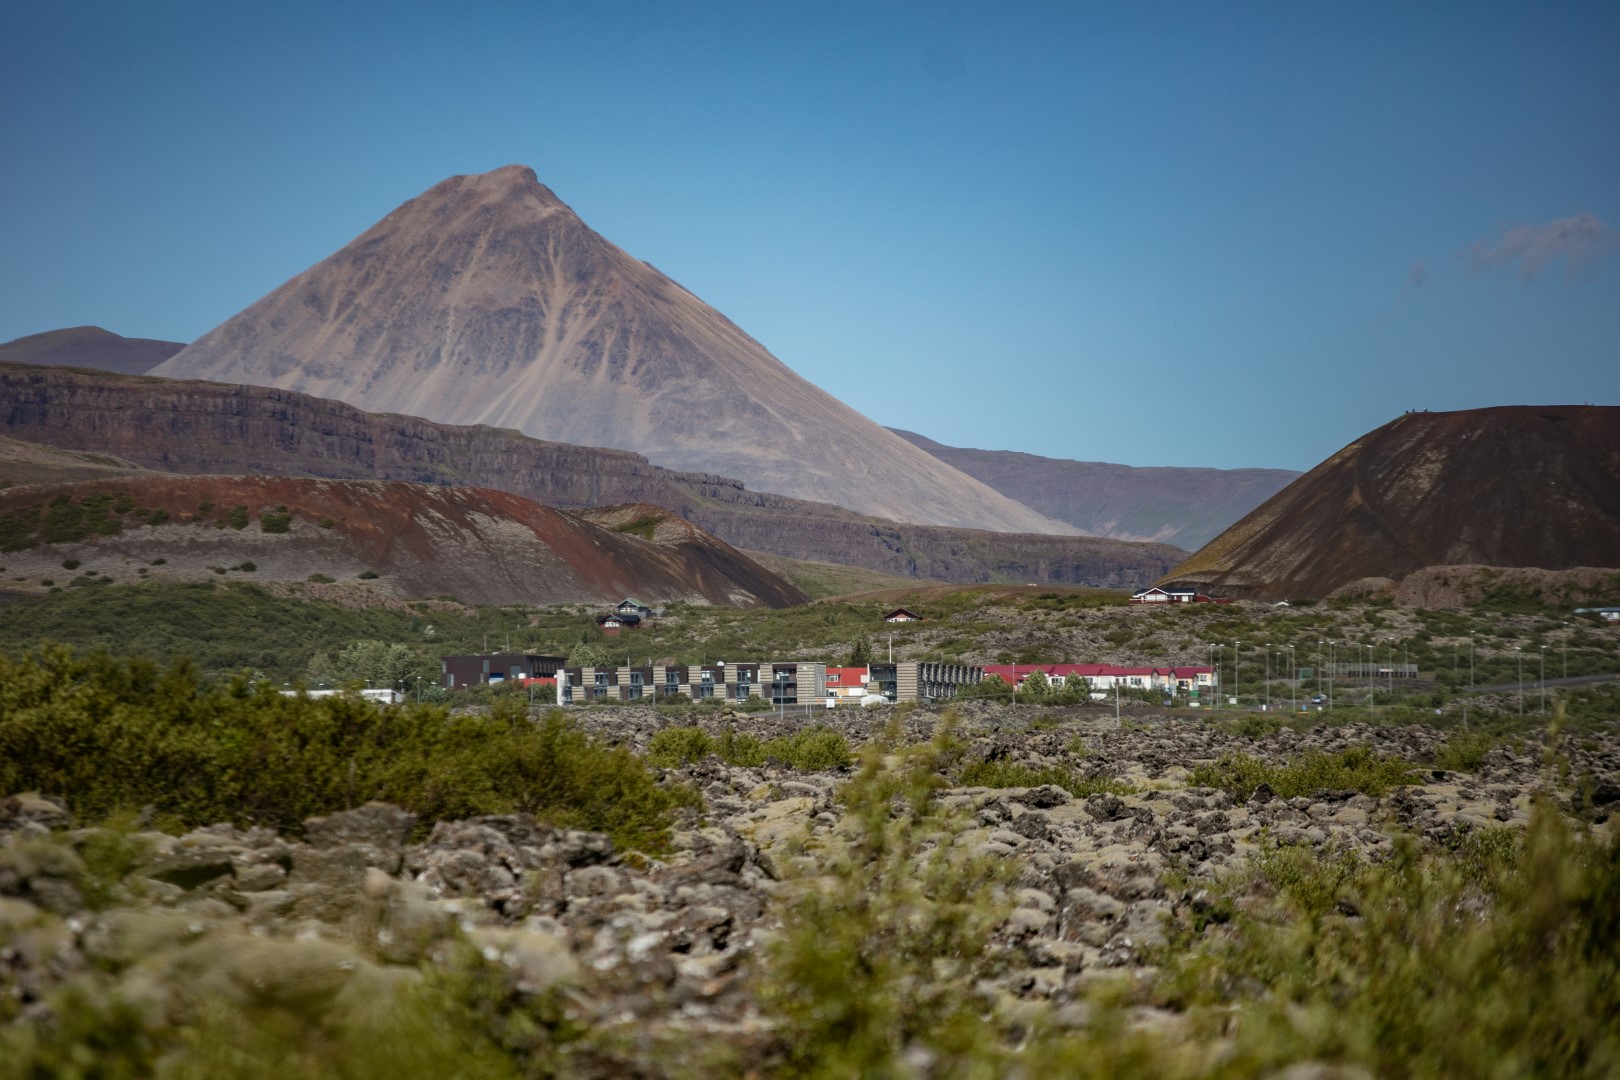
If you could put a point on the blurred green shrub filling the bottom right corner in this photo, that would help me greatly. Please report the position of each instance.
(1496, 958)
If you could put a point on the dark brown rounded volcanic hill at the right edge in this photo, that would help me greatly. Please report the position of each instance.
(1517, 487)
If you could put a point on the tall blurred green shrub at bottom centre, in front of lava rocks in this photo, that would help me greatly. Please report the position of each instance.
(885, 938)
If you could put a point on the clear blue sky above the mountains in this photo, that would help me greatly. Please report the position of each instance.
(1203, 234)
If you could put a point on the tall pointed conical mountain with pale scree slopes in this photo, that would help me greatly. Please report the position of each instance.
(488, 302)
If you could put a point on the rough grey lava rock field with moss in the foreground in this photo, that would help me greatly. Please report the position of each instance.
(370, 899)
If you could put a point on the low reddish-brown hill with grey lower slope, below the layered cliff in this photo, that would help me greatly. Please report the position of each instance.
(414, 540)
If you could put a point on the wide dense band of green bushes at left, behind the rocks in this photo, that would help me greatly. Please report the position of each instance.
(117, 736)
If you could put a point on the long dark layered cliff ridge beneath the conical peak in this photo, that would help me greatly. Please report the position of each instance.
(215, 428)
